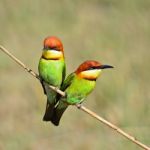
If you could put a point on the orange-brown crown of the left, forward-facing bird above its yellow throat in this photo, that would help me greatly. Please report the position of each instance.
(54, 43)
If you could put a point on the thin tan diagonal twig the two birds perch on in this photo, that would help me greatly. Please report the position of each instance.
(79, 106)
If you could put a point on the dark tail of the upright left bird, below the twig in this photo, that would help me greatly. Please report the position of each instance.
(48, 112)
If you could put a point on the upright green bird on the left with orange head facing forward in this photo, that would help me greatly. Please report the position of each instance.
(52, 71)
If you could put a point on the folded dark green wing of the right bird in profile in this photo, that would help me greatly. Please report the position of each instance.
(68, 81)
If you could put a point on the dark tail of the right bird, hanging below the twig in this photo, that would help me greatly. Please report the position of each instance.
(58, 112)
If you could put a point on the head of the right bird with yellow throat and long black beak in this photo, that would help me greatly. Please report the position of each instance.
(90, 69)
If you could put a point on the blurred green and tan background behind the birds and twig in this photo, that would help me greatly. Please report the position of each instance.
(111, 31)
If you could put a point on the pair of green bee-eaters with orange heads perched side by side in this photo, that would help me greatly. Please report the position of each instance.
(77, 85)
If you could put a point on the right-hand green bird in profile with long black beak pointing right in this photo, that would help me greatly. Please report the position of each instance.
(77, 86)
